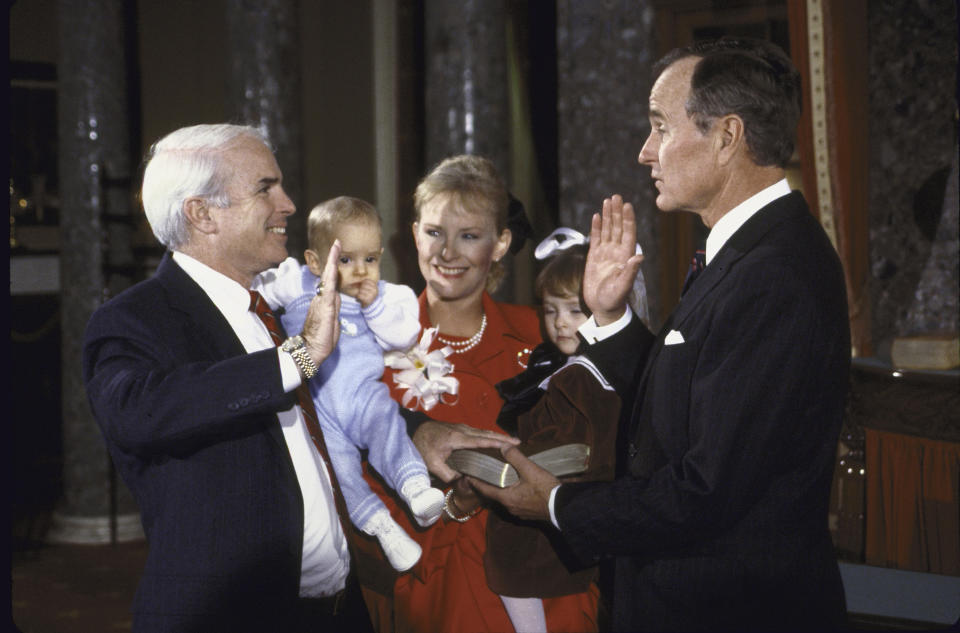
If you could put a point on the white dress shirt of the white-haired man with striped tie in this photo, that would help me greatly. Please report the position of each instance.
(326, 559)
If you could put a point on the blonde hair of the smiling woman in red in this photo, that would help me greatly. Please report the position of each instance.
(473, 184)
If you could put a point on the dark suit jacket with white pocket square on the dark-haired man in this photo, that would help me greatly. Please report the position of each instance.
(721, 519)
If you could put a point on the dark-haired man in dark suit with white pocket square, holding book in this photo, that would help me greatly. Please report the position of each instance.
(719, 520)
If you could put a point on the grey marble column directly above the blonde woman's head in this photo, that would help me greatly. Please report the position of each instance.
(467, 104)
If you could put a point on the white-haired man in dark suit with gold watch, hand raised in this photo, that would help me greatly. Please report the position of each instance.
(198, 405)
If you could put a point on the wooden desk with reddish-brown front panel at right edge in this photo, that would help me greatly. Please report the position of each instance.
(895, 499)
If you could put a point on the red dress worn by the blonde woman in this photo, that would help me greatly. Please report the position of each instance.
(447, 590)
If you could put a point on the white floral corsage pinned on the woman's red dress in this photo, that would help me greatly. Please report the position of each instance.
(424, 374)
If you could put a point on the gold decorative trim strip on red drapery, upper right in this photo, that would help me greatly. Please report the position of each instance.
(818, 116)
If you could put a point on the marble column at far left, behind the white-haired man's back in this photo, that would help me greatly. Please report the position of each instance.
(96, 260)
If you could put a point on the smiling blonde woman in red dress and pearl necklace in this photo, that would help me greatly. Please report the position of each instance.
(461, 233)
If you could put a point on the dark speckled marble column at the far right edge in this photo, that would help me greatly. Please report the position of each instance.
(913, 169)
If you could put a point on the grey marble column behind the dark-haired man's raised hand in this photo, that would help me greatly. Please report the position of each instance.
(604, 54)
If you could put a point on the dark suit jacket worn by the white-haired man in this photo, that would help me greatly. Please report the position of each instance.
(190, 421)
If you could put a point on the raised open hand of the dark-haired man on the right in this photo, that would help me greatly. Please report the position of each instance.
(612, 262)
